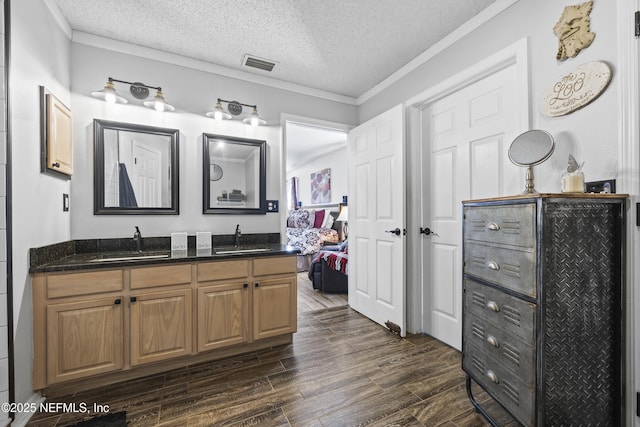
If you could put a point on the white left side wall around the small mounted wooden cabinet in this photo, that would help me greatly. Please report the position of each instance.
(40, 56)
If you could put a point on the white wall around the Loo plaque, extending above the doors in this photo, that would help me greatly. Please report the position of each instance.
(591, 134)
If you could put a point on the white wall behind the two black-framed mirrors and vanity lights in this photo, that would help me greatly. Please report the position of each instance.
(193, 93)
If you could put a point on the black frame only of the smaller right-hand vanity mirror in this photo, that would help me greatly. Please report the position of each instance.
(206, 183)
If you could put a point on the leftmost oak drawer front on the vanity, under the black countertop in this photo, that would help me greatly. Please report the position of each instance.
(76, 284)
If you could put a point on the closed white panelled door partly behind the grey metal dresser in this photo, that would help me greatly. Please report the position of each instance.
(466, 136)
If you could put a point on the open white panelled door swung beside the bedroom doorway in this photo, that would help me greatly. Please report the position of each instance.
(376, 211)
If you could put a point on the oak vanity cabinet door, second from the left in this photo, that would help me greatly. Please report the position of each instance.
(161, 325)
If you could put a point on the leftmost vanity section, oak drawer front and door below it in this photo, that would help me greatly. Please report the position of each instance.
(78, 325)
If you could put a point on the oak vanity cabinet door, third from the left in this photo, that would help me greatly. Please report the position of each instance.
(223, 315)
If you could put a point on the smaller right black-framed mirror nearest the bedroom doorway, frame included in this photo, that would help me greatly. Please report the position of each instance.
(234, 175)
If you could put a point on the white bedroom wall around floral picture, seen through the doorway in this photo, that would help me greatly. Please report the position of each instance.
(336, 161)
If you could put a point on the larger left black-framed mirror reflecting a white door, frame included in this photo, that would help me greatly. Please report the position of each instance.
(135, 169)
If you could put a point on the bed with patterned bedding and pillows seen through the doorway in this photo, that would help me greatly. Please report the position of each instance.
(308, 230)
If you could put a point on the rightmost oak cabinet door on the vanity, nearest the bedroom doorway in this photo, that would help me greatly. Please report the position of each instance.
(274, 307)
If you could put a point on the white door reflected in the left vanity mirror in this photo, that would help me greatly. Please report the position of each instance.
(146, 175)
